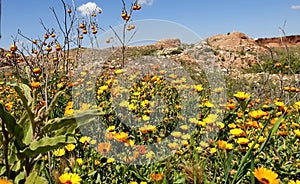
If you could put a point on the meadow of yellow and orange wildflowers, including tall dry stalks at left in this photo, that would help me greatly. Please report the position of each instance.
(66, 120)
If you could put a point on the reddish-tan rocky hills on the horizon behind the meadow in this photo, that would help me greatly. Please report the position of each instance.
(234, 50)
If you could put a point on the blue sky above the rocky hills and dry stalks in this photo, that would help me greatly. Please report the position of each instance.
(256, 18)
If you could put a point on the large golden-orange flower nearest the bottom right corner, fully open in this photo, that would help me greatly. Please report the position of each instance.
(266, 176)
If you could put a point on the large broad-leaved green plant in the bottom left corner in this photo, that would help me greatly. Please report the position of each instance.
(28, 143)
